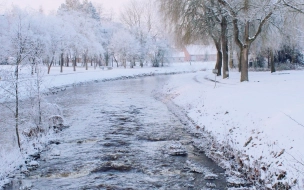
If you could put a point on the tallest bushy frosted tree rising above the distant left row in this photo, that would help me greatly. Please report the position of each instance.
(86, 40)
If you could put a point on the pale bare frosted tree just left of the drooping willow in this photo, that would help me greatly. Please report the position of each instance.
(142, 20)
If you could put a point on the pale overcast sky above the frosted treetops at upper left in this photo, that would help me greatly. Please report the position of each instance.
(49, 5)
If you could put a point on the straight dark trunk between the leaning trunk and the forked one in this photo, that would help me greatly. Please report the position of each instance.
(224, 41)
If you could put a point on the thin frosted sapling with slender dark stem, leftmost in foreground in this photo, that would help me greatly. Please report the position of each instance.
(18, 48)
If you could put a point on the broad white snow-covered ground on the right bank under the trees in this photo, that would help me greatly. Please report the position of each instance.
(262, 120)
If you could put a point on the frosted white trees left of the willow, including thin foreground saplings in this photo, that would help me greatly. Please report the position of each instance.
(77, 33)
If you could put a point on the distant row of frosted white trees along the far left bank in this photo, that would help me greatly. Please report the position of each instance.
(77, 32)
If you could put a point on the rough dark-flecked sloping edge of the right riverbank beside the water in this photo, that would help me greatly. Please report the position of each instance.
(240, 174)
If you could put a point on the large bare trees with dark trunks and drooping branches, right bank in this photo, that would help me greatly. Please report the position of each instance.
(245, 26)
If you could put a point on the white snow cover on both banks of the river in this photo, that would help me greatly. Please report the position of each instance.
(261, 120)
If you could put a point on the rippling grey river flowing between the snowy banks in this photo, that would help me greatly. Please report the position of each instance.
(120, 137)
